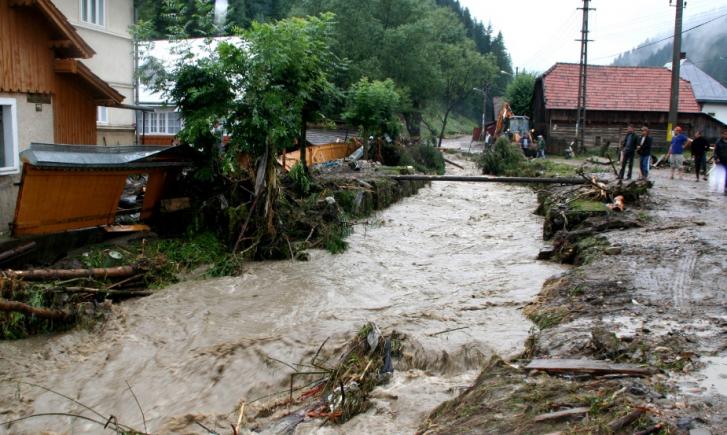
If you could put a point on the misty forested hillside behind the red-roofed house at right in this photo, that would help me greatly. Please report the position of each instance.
(705, 47)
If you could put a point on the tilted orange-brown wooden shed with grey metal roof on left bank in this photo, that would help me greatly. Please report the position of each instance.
(72, 187)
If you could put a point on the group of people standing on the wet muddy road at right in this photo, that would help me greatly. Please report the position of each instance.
(634, 144)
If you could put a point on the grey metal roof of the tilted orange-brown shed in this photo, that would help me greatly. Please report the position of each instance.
(87, 156)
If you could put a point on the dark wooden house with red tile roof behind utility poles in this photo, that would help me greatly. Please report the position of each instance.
(616, 96)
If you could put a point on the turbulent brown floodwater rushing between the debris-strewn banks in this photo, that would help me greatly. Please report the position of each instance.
(454, 256)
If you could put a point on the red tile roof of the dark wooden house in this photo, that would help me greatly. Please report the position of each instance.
(619, 88)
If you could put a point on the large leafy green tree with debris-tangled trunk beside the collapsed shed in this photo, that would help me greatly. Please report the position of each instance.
(252, 96)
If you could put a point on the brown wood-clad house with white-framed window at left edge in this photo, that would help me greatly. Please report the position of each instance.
(46, 94)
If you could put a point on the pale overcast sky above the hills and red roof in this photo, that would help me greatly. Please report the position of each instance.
(540, 33)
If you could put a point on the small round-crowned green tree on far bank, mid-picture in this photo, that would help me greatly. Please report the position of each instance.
(372, 107)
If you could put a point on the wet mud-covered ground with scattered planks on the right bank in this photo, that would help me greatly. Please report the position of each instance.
(654, 295)
